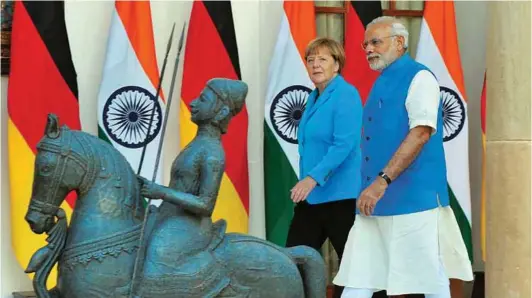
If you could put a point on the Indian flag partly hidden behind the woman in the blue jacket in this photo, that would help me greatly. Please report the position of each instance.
(288, 88)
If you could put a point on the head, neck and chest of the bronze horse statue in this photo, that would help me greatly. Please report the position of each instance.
(106, 221)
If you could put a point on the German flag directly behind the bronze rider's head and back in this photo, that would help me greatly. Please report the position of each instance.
(211, 51)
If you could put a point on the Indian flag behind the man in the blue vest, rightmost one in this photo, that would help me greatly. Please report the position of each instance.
(438, 50)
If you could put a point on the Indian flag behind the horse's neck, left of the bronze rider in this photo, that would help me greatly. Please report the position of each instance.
(126, 99)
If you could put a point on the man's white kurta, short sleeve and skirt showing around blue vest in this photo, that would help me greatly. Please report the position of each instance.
(410, 253)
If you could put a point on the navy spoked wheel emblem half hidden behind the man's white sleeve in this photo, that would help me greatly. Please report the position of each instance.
(454, 114)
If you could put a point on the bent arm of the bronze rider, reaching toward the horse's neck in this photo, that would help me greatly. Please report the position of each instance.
(203, 205)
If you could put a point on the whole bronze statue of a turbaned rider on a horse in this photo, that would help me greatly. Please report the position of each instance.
(186, 254)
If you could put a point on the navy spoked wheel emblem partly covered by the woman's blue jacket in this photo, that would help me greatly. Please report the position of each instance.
(286, 111)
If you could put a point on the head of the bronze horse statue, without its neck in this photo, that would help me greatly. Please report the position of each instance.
(59, 169)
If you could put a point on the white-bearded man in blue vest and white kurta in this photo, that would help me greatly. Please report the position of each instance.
(406, 239)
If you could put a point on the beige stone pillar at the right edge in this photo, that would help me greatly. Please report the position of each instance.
(508, 160)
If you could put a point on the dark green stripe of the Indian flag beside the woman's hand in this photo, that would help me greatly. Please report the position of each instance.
(279, 178)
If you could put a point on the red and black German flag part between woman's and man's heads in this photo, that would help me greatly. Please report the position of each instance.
(356, 70)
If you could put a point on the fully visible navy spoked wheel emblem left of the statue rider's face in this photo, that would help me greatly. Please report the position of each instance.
(126, 116)
